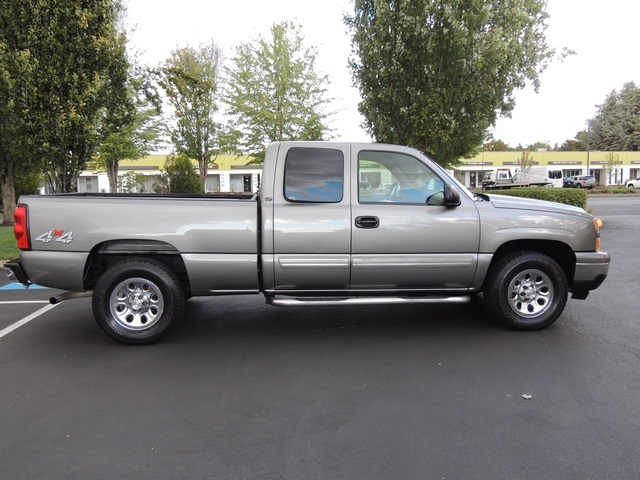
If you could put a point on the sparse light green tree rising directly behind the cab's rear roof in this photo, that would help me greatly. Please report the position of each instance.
(274, 92)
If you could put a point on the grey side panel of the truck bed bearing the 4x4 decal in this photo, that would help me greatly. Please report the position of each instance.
(222, 233)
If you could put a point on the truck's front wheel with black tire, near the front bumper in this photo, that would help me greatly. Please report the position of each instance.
(525, 290)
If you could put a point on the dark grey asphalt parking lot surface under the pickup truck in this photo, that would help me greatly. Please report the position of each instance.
(242, 390)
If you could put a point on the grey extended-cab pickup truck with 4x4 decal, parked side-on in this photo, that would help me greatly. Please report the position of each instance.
(319, 232)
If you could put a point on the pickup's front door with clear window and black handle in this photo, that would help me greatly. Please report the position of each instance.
(403, 237)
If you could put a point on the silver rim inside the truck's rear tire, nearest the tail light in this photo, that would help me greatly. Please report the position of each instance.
(136, 303)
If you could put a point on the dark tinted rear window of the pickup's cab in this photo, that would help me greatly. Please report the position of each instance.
(314, 175)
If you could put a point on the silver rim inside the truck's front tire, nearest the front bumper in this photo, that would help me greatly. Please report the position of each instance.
(531, 293)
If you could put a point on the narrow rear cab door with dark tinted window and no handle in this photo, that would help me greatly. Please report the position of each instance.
(312, 219)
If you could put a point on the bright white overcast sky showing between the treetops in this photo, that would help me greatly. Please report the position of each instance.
(602, 33)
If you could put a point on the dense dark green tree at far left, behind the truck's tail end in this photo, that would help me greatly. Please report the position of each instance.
(71, 51)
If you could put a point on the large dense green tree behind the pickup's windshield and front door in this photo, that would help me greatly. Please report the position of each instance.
(435, 74)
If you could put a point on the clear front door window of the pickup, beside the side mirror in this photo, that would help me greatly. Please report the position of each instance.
(397, 178)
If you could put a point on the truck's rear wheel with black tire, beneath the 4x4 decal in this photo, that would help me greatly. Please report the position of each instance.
(138, 300)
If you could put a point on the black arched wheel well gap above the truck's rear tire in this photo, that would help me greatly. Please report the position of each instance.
(107, 254)
